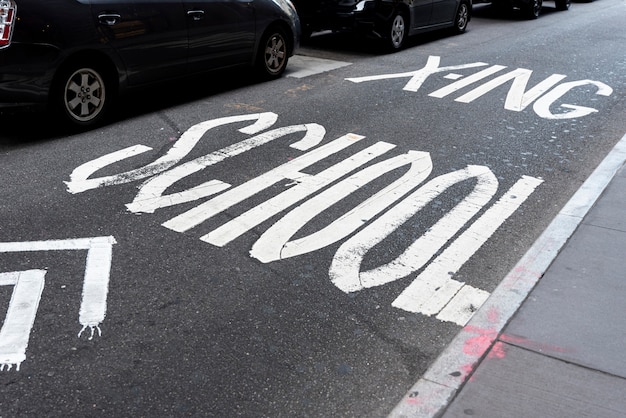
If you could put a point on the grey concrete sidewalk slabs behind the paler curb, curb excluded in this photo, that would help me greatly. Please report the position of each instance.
(564, 352)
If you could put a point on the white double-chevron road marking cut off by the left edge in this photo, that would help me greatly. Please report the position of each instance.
(29, 284)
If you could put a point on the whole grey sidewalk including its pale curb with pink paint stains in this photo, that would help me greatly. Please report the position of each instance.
(551, 340)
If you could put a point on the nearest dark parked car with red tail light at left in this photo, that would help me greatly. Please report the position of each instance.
(77, 55)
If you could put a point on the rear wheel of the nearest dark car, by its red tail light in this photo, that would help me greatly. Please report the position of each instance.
(82, 95)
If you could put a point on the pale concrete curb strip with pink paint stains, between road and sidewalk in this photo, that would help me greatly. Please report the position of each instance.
(438, 386)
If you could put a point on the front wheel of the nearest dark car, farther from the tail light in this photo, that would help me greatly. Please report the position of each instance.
(273, 54)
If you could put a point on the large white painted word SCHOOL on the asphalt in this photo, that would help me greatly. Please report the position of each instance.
(308, 195)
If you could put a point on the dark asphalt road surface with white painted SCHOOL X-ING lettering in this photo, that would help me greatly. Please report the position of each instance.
(301, 247)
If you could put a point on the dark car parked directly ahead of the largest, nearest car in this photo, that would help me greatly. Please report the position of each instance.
(390, 20)
